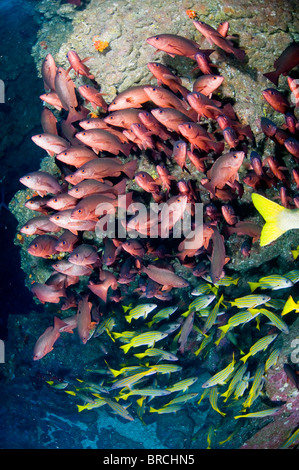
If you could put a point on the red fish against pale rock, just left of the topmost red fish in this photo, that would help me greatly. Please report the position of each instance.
(174, 45)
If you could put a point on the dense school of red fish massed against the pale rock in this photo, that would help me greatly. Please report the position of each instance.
(97, 156)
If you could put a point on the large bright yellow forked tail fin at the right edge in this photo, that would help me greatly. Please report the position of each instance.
(270, 211)
